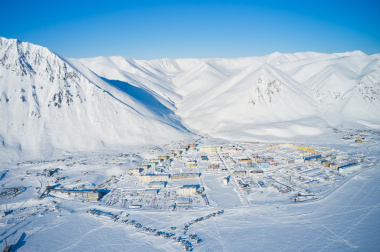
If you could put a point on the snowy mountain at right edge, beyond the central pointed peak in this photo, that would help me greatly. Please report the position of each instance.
(345, 86)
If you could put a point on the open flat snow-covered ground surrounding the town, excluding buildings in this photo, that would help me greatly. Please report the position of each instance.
(345, 217)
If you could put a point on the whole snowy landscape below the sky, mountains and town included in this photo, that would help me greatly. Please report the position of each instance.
(272, 153)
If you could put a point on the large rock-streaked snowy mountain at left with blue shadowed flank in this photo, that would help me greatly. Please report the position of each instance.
(48, 103)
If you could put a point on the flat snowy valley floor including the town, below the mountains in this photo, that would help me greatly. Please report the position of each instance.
(48, 205)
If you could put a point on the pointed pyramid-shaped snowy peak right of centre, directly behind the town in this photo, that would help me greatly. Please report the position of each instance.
(251, 103)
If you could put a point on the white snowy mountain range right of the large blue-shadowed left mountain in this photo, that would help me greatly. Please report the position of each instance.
(278, 94)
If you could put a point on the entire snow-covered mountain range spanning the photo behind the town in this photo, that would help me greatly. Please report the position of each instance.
(49, 102)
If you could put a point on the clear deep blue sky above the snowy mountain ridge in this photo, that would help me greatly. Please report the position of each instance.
(193, 29)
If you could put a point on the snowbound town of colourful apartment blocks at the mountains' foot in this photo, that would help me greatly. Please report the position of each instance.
(183, 177)
